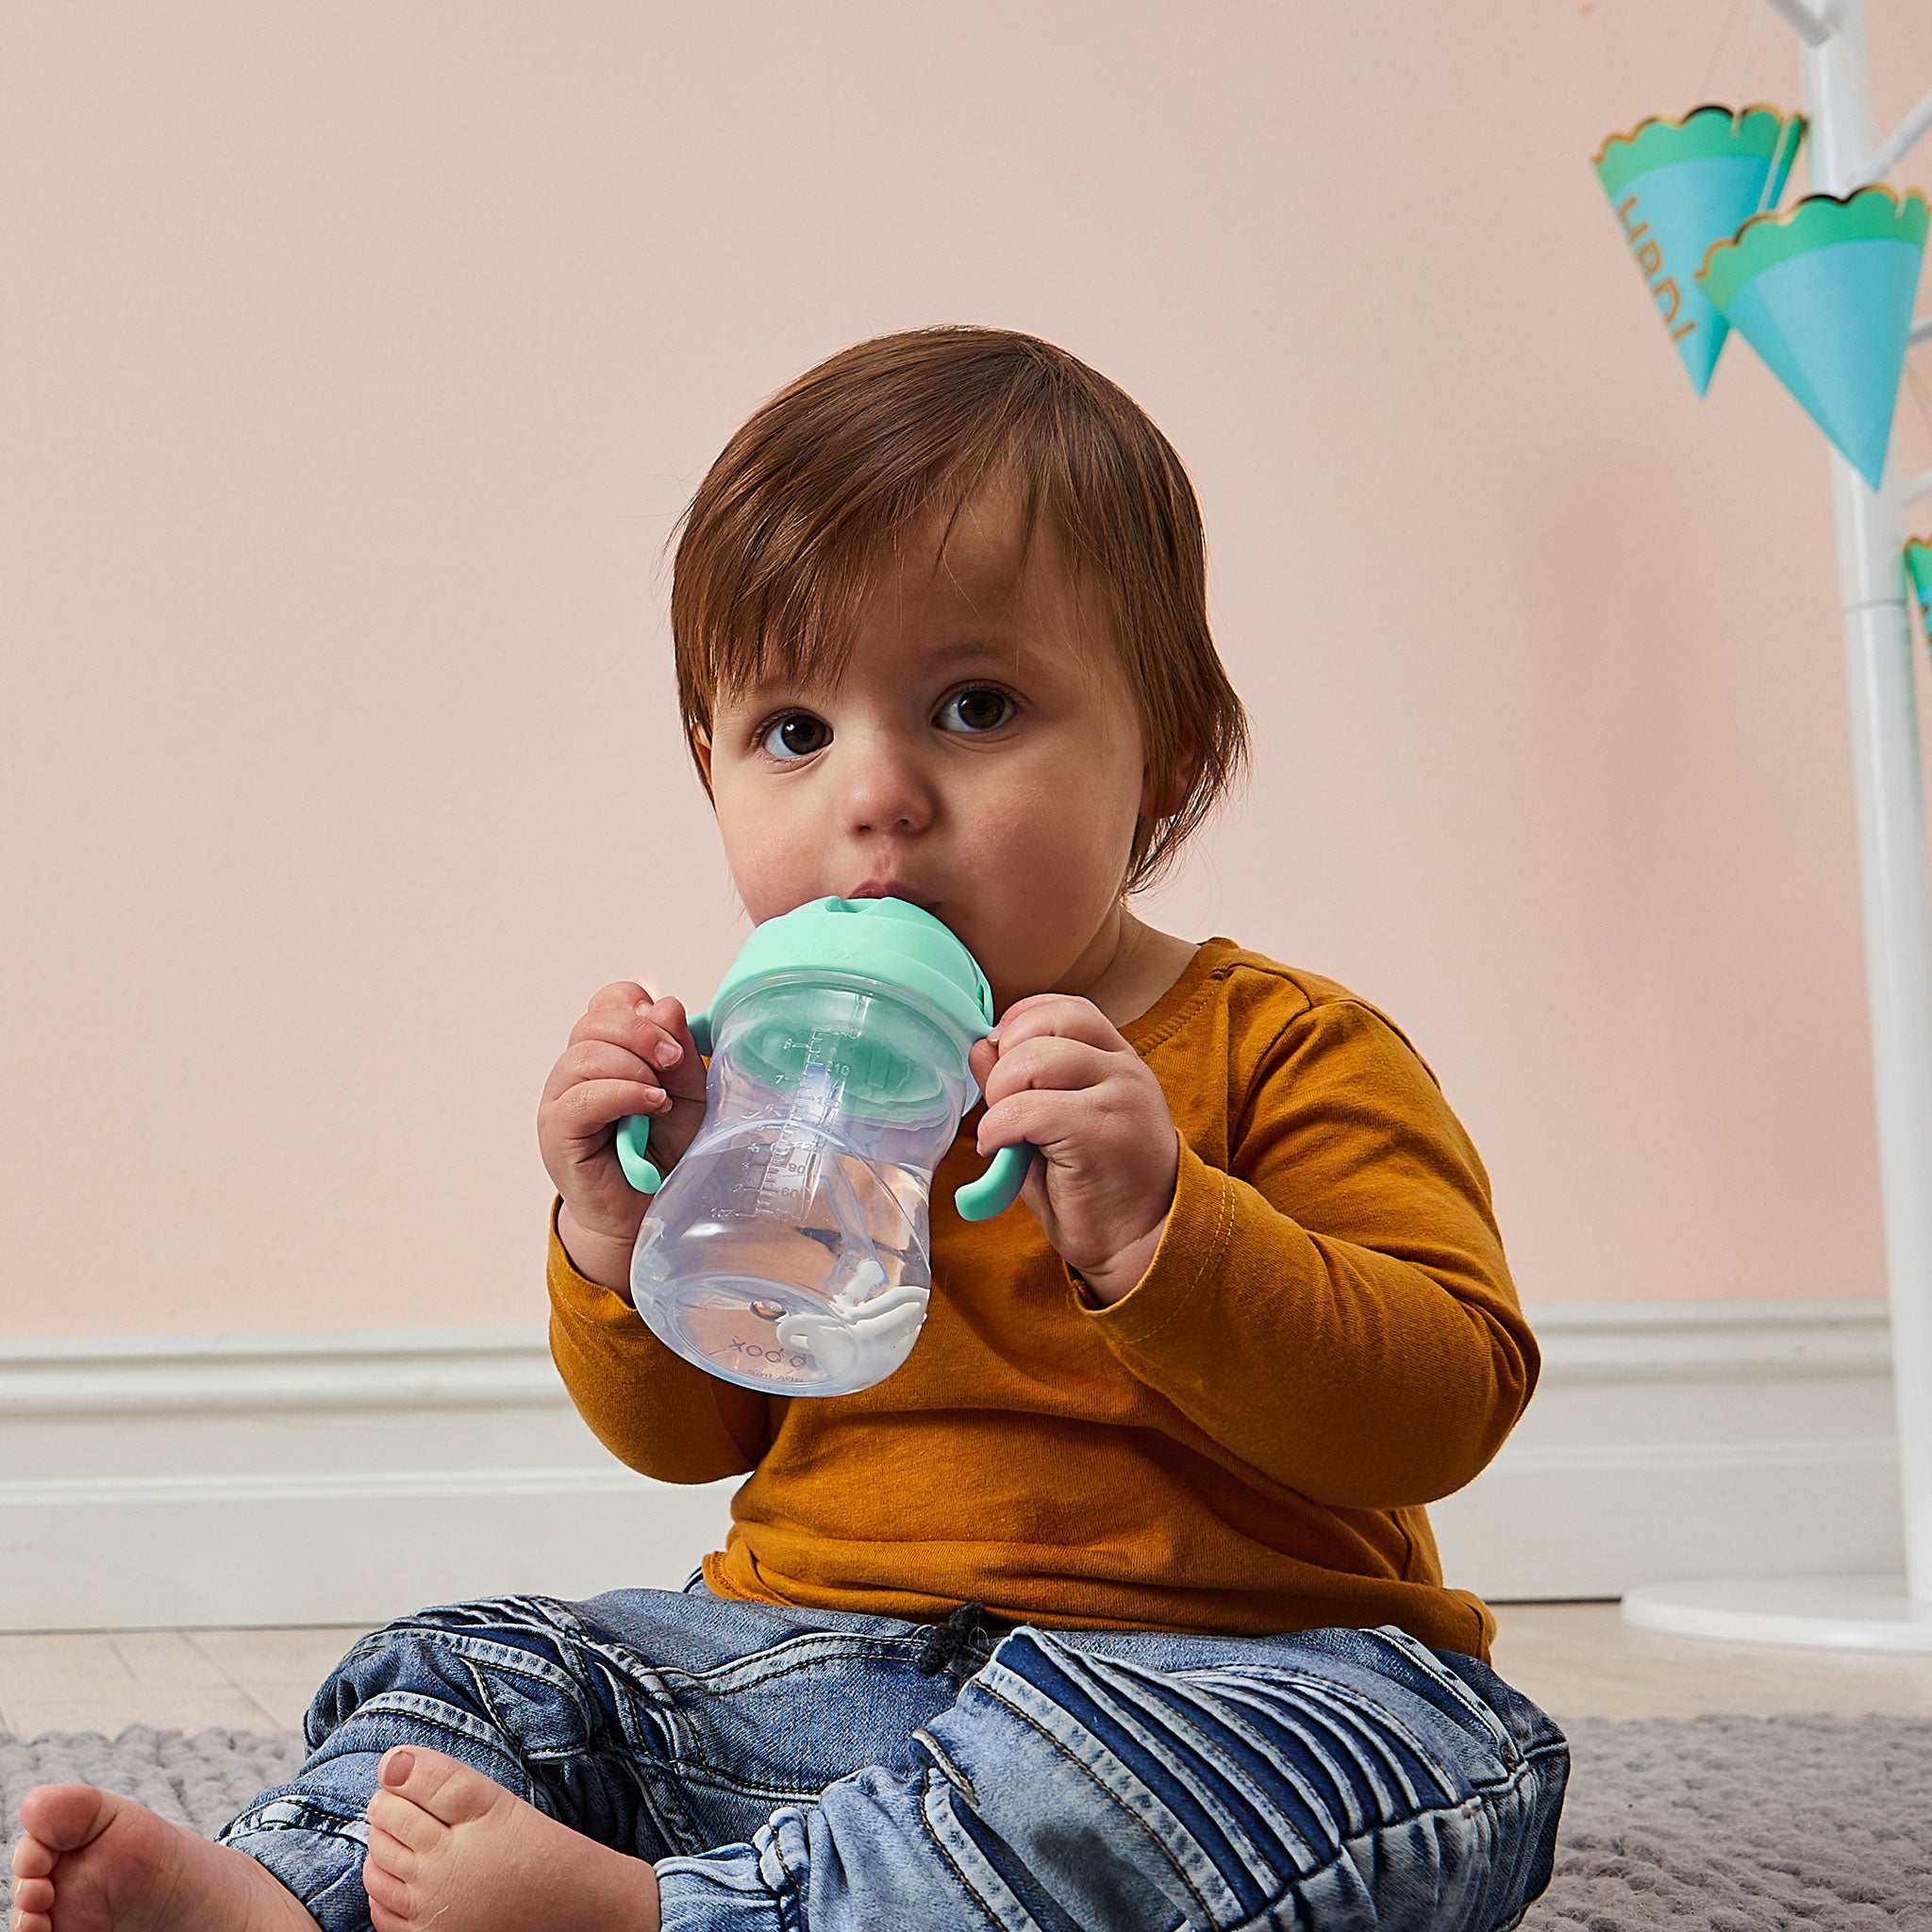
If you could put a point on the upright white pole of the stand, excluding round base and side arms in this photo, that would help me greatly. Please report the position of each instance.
(1892, 845)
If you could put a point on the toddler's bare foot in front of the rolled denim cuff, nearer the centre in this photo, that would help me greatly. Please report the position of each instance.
(451, 1848)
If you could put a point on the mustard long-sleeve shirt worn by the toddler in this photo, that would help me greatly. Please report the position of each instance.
(1326, 1340)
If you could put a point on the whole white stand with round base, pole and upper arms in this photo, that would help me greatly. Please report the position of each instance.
(1865, 1612)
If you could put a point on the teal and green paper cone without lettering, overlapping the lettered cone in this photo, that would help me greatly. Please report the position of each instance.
(1825, 295)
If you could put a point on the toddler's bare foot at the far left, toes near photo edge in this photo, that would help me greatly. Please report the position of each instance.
(98, 1863)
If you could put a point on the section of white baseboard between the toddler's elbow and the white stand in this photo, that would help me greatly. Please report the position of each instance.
(1690, 1440)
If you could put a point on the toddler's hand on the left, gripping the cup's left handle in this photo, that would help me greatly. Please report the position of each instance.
(629, 1054)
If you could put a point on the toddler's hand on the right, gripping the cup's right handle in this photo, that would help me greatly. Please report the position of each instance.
(1058, 1073)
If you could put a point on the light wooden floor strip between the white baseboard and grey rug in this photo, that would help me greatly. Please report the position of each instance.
(1574, 1659)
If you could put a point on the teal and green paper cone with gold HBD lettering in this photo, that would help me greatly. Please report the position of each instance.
(1678, 188)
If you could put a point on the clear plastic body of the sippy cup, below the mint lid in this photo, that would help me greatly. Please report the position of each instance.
(789, 1249)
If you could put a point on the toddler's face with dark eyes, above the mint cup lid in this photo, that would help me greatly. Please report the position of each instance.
(979, 756)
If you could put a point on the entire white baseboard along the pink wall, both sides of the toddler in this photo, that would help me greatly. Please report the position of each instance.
(343, 1479)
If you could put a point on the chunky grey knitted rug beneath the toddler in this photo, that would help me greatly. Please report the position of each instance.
(1705, 1825)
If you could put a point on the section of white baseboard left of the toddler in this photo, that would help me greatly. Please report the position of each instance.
(314, 1479)
